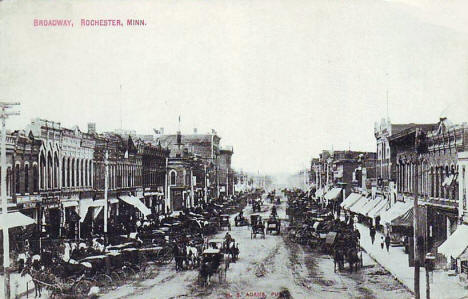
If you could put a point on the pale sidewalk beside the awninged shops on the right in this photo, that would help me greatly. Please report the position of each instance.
(396, 262)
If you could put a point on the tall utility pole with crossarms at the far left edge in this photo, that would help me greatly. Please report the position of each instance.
(6, 241)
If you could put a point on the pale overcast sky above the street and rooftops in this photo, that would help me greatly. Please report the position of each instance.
(278, 80)
